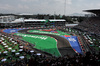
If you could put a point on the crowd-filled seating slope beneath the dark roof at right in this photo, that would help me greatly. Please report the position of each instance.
(91, 25)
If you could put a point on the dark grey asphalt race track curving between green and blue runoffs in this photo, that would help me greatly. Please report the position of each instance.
(62, 43)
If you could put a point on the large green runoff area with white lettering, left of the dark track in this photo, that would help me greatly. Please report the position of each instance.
(44, 43)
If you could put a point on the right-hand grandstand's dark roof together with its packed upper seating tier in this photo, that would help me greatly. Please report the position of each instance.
(91, 24)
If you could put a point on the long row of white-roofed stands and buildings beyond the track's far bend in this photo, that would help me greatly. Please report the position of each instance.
(9, 22)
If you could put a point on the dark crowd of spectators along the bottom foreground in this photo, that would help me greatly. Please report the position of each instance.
(78, 60)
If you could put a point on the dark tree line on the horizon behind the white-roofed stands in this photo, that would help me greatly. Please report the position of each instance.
(69, 19)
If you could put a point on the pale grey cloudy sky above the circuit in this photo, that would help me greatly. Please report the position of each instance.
(47, 6)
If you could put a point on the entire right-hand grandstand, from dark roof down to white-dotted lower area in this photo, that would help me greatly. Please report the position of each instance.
(90, 29)
